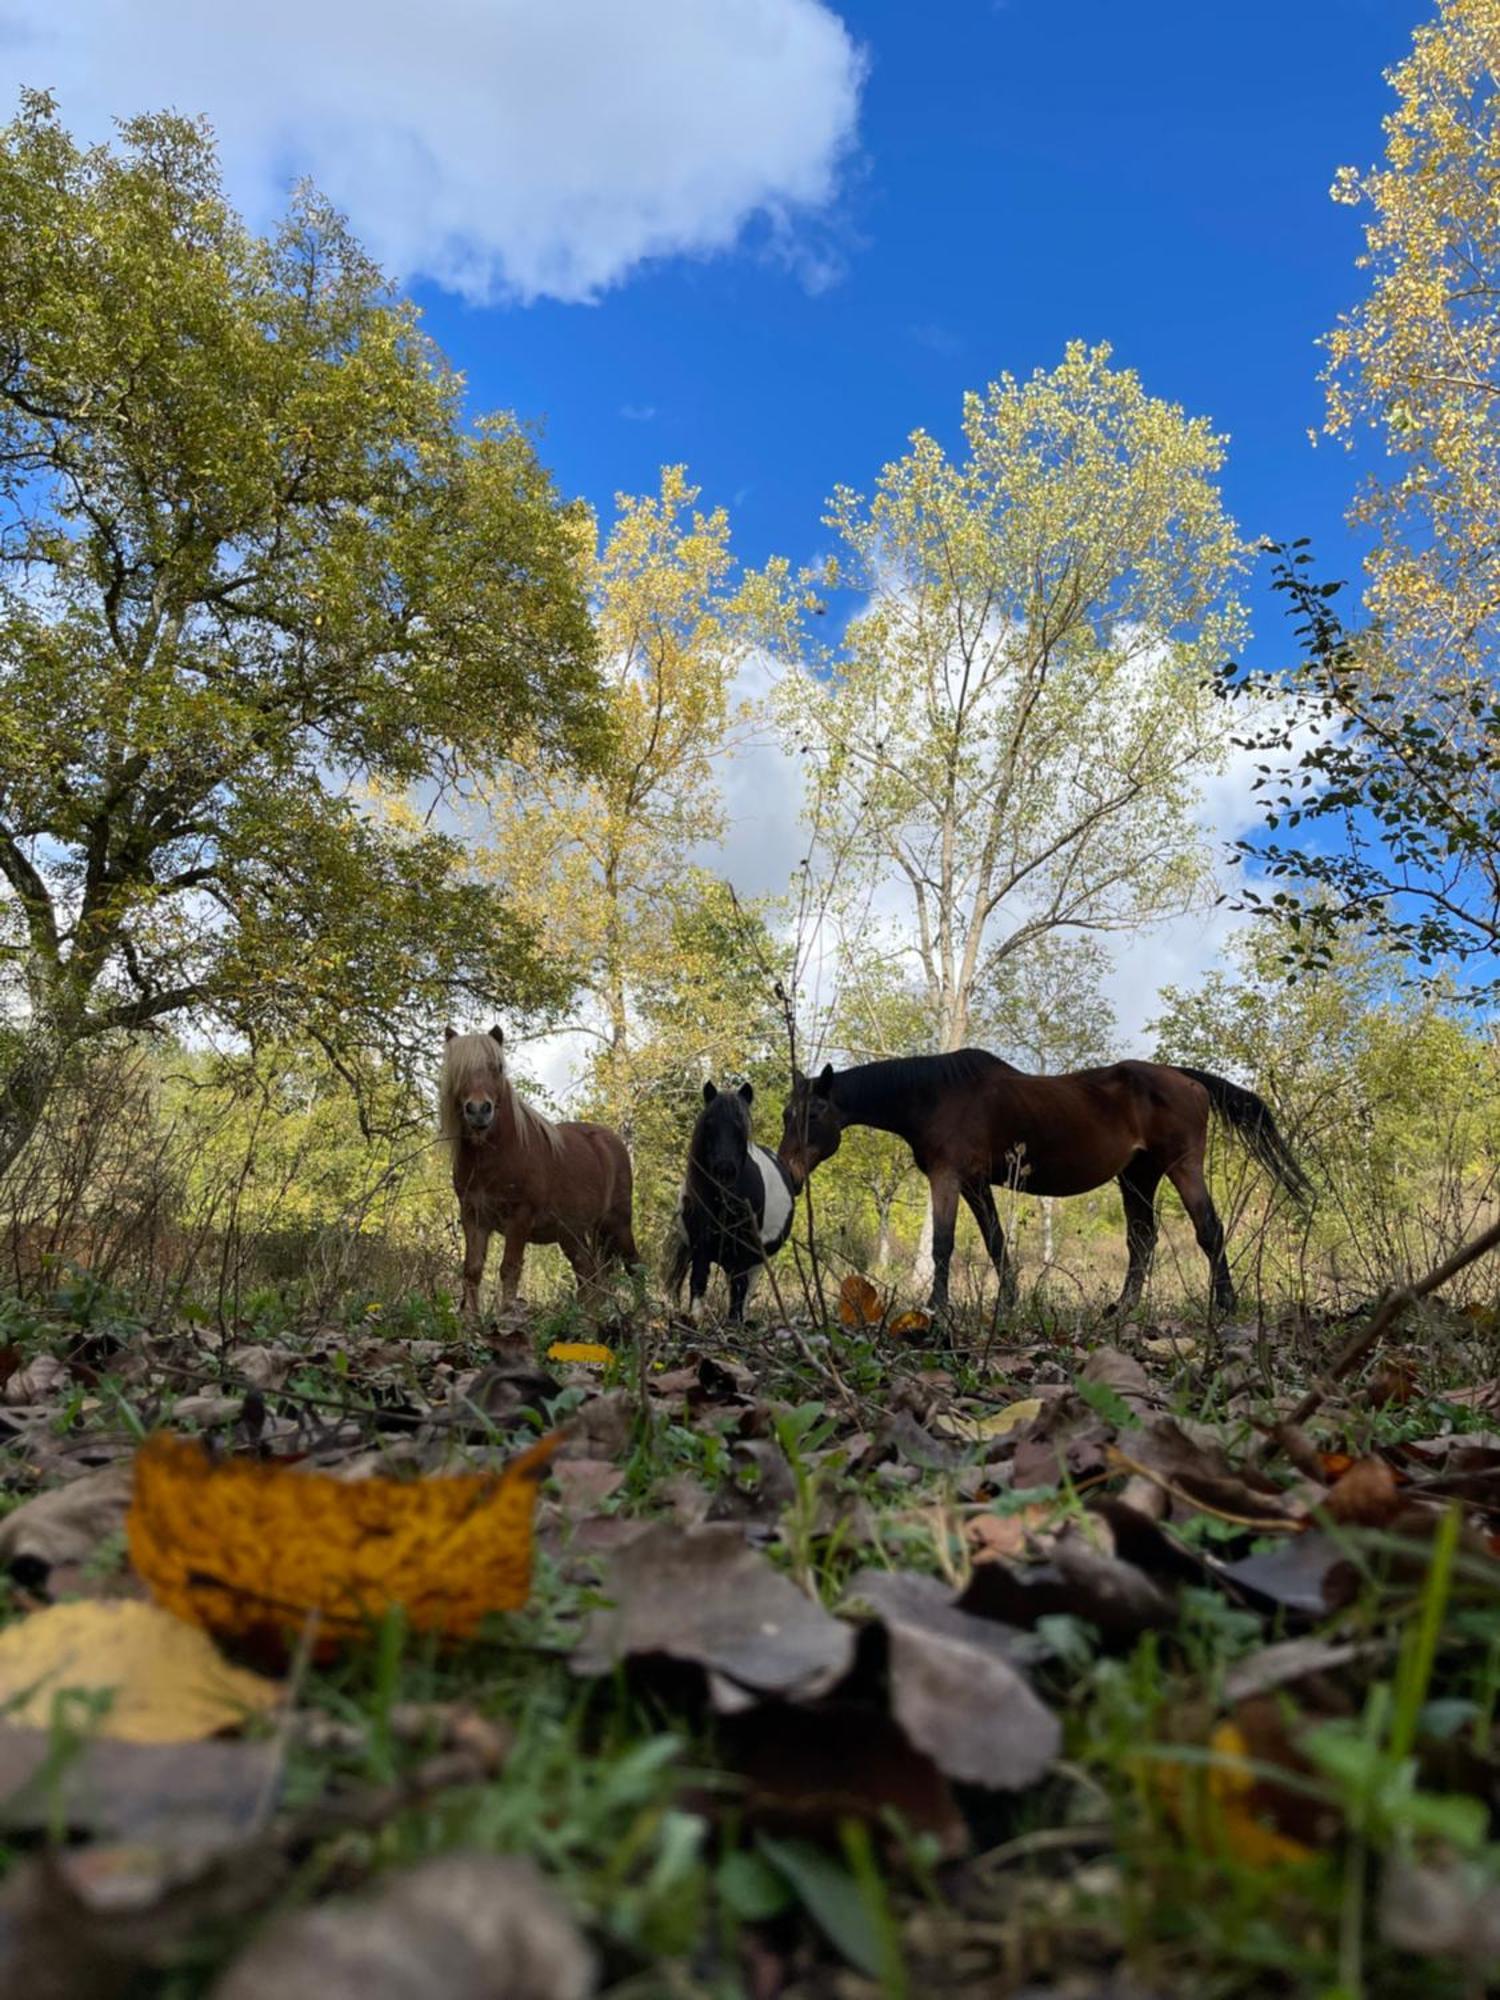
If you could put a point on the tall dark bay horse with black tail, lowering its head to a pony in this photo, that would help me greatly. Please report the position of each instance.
(975, 1121)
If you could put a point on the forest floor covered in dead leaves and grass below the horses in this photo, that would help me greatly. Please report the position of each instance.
(853, 1663)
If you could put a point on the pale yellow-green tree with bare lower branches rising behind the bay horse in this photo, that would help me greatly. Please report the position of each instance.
(1013, 725)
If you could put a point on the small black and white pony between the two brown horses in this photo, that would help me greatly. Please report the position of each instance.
(735, 1209)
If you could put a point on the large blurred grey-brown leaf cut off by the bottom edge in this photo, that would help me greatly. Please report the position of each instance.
(469, 1927)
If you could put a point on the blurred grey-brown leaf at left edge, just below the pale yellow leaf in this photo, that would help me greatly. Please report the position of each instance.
(111, 1789)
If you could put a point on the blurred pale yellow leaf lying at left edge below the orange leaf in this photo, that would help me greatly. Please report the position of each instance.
(165, 1681)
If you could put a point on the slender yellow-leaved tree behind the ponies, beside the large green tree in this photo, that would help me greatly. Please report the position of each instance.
(605, 863)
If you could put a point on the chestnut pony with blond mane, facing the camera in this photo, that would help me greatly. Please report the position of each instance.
(519, 1173)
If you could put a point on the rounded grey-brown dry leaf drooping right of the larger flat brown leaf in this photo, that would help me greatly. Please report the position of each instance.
(955, 1685)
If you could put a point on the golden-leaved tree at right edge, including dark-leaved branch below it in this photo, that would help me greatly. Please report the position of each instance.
(1397, 751)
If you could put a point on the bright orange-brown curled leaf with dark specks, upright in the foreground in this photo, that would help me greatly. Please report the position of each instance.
(253, 1549)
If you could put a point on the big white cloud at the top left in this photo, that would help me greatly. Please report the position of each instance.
(501, 147)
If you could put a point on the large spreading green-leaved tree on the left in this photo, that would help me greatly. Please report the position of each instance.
(251, 563)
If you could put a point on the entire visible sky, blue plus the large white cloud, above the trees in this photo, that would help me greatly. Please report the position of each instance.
(773, 237)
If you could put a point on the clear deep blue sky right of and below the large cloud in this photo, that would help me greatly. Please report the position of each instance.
(1029, 173)
